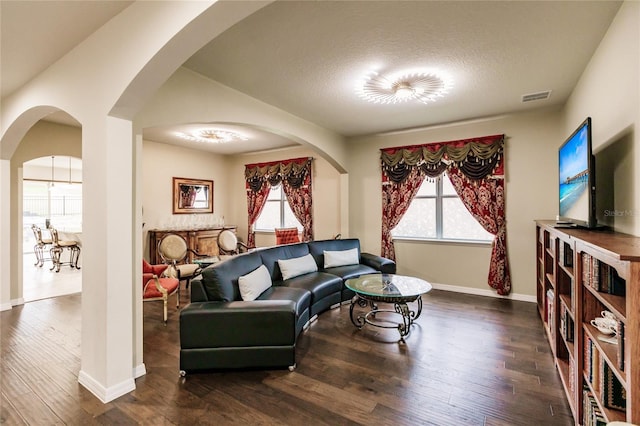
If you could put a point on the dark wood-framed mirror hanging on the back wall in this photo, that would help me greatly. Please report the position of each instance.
(192, 195)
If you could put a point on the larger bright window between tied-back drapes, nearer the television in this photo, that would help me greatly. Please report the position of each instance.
(437, 212)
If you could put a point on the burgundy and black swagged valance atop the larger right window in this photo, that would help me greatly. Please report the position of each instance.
(477, 158)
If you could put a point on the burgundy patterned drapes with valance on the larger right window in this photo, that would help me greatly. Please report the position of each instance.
(476, 170)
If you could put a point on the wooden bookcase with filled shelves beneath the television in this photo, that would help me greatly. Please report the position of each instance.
(579, 274)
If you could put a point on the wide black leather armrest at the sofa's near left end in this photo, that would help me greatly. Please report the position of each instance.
(238, 324)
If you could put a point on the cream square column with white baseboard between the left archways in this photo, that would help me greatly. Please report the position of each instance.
(107, 290)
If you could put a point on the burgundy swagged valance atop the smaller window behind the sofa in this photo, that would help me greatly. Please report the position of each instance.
(293, 171)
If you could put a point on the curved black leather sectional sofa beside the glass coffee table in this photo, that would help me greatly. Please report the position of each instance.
(219, 330)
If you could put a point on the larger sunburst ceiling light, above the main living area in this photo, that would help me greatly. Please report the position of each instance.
(421, 86)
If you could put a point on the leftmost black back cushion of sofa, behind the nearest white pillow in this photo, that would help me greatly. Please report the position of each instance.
(220, 281)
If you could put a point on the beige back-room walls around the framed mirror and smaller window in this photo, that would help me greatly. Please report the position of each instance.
(161, 162)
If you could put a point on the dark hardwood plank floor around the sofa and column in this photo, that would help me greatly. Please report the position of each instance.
(469, 360)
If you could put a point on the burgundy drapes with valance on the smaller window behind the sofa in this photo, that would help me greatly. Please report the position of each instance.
(295, 177)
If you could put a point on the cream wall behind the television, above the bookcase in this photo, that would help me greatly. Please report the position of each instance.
(609, 92)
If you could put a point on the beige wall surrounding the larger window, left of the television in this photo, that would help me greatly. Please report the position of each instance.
(531, 193)
